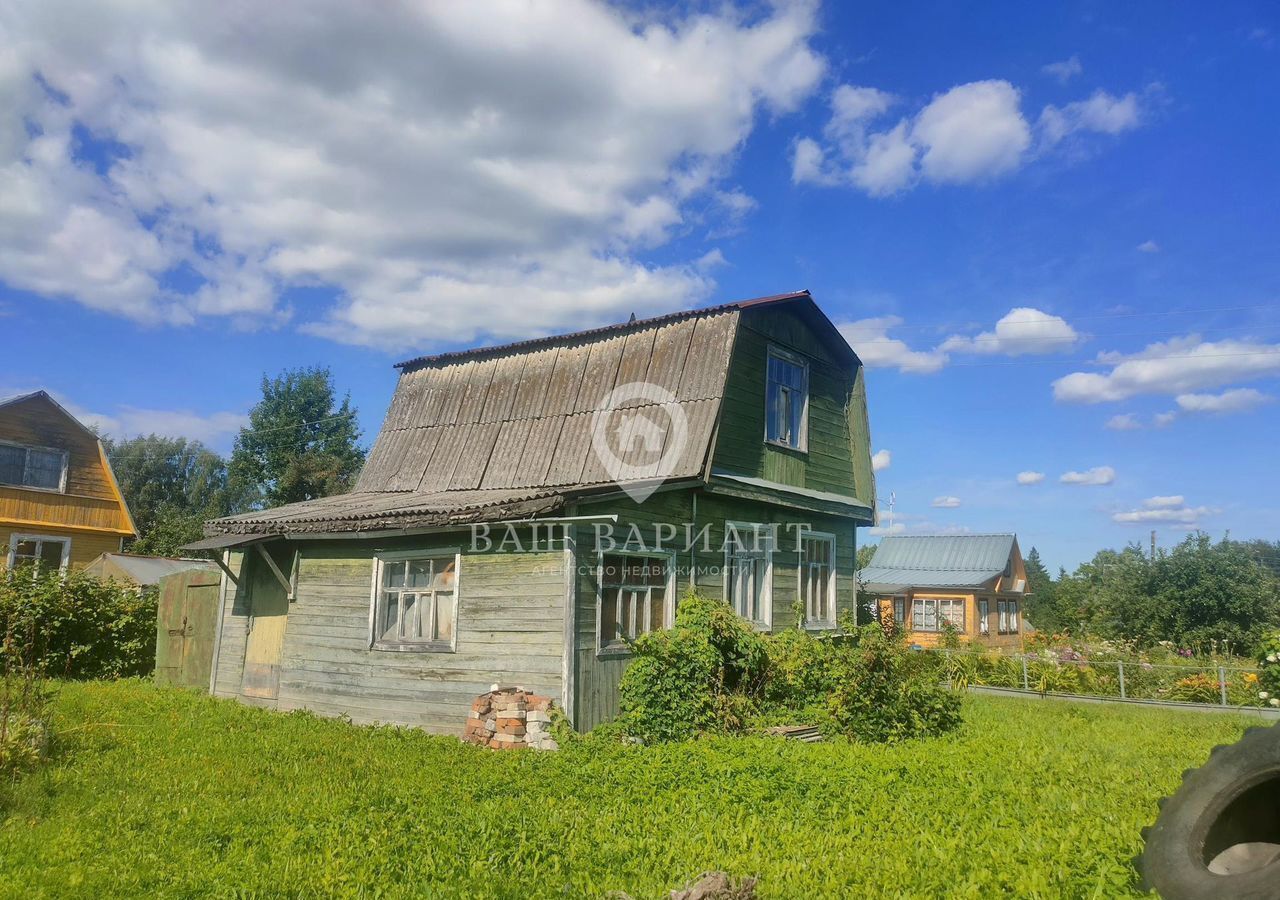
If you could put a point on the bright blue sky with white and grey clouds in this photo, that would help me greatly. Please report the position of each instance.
(191, 200)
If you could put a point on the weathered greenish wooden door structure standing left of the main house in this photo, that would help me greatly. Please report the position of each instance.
(188, 615)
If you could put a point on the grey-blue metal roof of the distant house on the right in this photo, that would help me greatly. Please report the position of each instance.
(967, 561)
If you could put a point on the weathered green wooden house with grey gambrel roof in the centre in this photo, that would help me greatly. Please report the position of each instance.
(529, 509)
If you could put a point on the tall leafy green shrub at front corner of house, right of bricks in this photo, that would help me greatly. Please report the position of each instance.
(703, 675)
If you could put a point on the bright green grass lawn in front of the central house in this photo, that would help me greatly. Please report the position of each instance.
(163, 793)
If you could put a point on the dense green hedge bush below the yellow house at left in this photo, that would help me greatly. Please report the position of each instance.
(76, 627)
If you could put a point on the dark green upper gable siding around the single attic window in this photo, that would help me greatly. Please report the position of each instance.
(838, 459)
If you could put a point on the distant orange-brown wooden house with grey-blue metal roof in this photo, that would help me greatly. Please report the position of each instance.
(975, 583)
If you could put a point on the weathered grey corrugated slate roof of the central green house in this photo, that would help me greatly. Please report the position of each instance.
(506, 432)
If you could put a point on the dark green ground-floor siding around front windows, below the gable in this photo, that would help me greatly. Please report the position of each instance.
(597, 677)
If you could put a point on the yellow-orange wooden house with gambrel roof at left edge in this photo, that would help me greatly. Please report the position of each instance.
(60, 502)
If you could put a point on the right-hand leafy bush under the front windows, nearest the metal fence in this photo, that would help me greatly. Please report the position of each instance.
(886, 696)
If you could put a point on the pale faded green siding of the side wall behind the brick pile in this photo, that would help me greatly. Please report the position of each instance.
(510, 629)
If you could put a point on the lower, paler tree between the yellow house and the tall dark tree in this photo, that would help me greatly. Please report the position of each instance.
(172, 486)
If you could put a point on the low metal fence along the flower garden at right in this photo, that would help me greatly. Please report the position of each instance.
(1226, 686)
